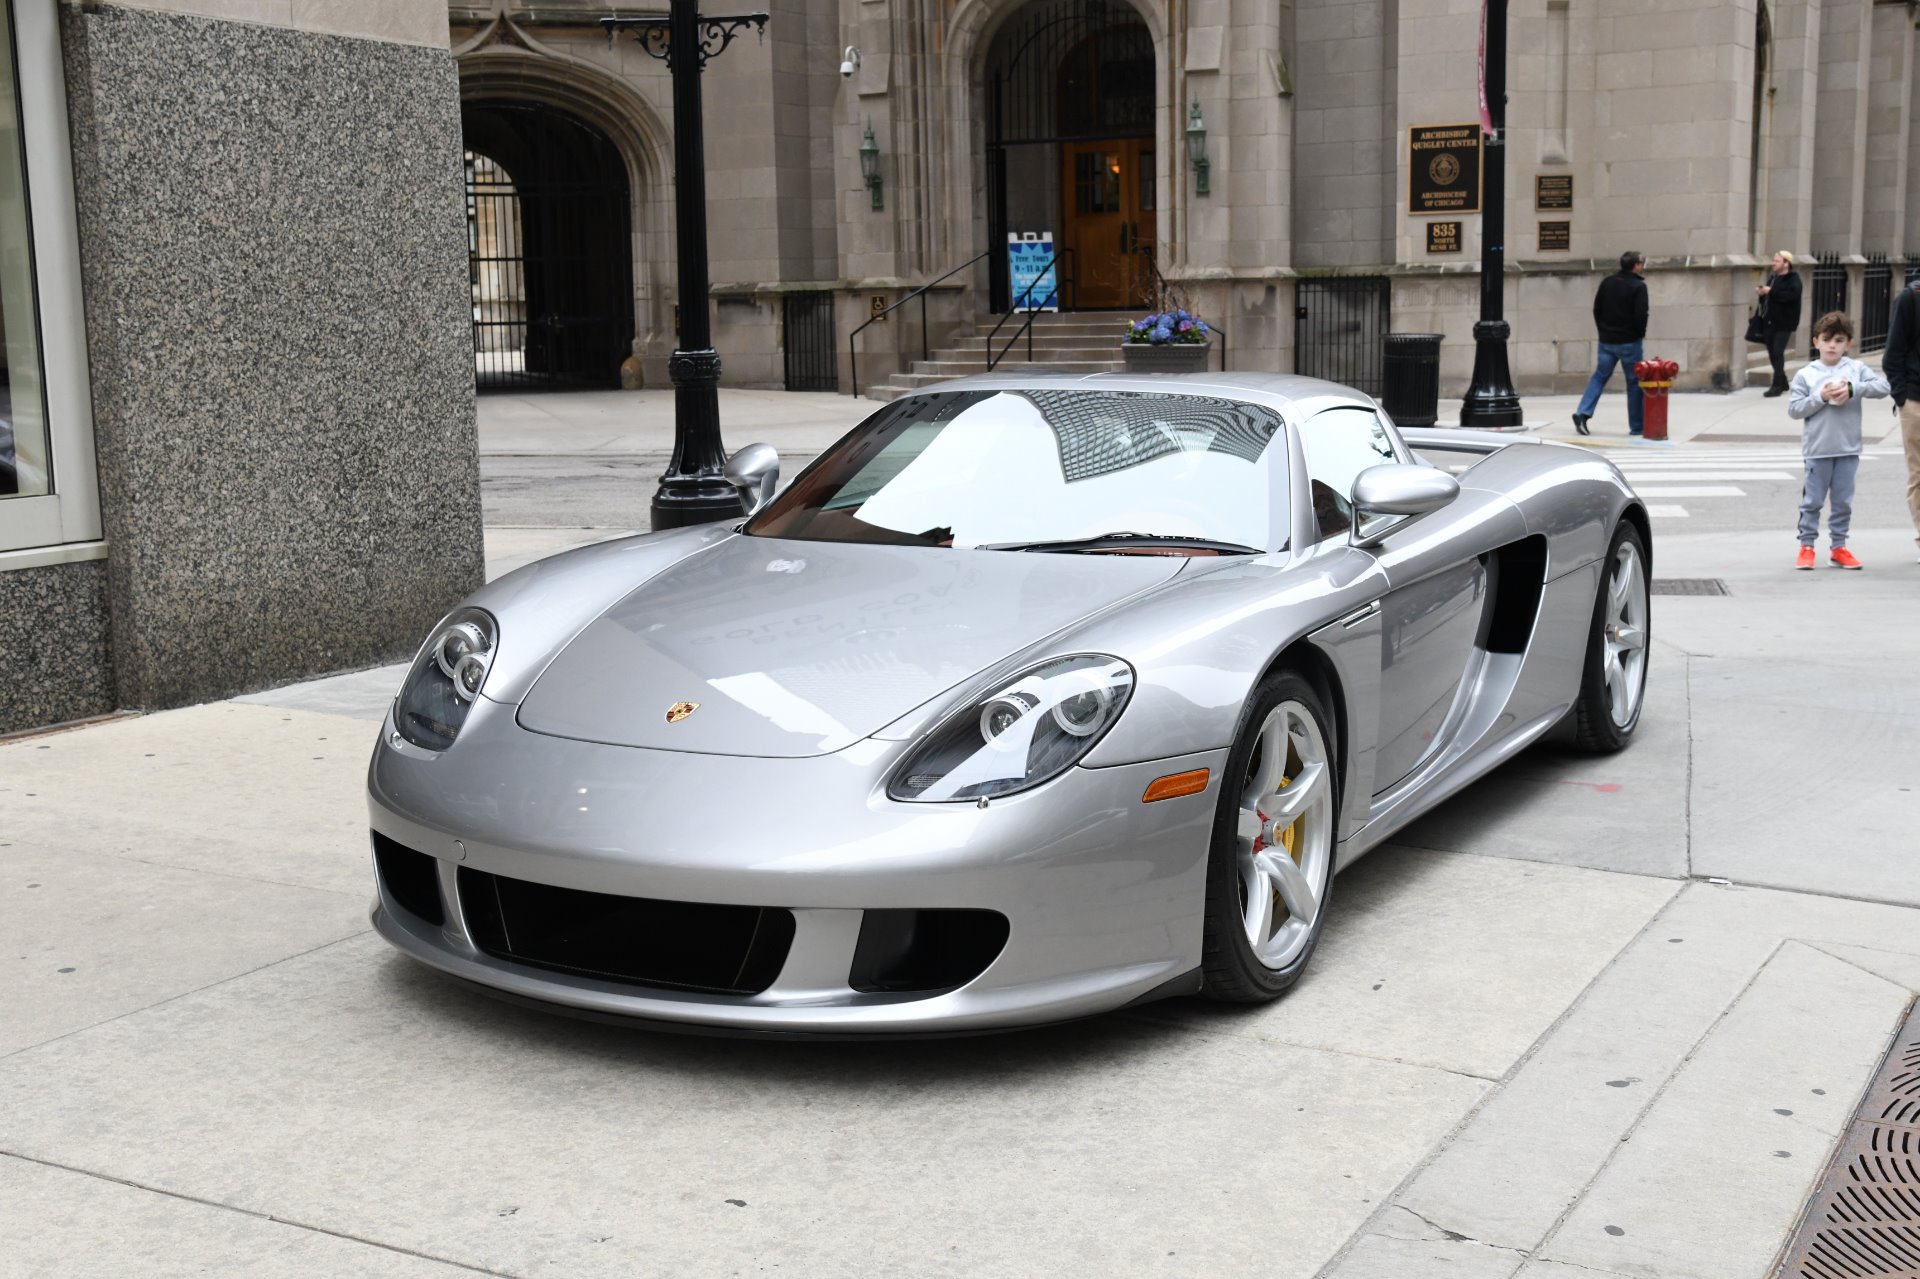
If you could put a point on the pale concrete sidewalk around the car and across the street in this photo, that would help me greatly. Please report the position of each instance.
(1596, 1017)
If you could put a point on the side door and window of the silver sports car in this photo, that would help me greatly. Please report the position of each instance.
(1433, 604)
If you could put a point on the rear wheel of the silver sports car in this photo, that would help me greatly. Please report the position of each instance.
(1616, 675)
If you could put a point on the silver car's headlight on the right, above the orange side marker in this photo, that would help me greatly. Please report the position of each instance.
(1034, 729)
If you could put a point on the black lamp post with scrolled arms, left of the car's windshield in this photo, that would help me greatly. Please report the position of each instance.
(694, 489)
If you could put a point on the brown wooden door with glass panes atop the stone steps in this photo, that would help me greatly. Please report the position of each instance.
(1109, 218)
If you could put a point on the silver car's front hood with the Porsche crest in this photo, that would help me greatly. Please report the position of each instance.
(804, 648)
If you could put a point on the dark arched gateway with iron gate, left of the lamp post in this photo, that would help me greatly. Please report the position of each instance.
(550, 249)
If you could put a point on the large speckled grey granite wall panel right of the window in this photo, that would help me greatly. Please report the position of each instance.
(276, 274)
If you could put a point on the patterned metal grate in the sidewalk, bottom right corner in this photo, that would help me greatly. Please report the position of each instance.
(1865, 1219)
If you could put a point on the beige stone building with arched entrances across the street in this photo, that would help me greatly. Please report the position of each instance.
(1704, 133)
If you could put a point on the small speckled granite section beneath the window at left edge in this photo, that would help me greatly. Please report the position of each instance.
(55, 644)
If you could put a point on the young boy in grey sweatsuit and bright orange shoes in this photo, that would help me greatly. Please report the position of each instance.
(1827, 398)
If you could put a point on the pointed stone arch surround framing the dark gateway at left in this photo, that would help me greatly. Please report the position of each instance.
(504, 66)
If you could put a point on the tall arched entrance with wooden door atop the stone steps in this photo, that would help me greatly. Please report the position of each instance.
(1070, 147)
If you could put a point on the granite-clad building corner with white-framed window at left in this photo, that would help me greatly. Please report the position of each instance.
(237, 427)
